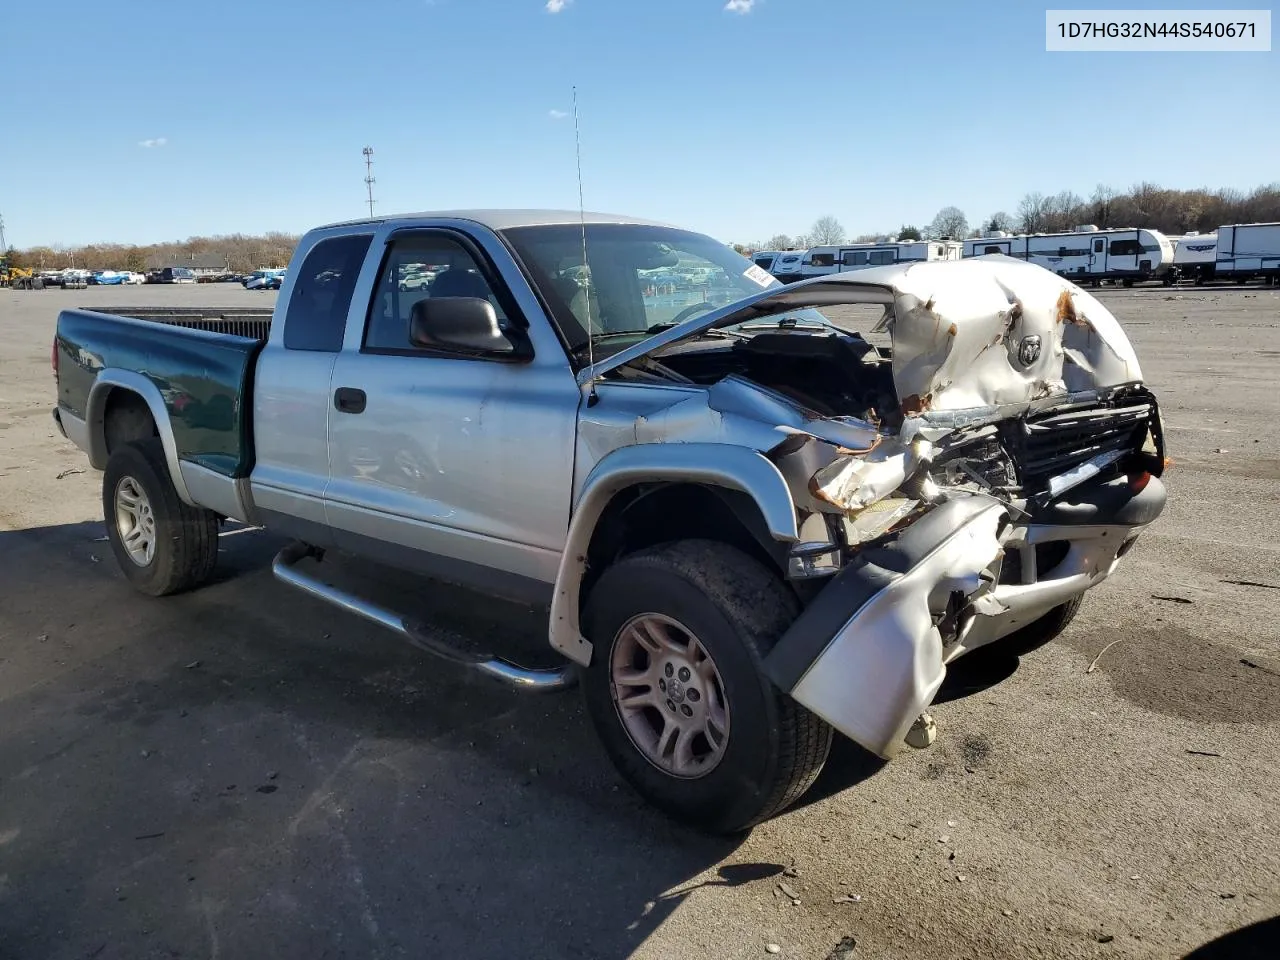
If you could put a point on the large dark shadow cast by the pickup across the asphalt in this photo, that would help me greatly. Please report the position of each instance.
(244, 772)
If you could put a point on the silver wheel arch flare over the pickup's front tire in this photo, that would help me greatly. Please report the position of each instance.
(747, 483)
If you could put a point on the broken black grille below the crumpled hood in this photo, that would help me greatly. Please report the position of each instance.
(1045, 447)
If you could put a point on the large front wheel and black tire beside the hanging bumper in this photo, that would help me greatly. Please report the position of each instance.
(678, 693)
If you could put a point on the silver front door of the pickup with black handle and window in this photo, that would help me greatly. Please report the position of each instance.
(456, 465)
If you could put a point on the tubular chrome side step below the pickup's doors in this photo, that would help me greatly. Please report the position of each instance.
(285, 568)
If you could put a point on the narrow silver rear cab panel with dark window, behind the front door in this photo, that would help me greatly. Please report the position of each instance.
(291, 388)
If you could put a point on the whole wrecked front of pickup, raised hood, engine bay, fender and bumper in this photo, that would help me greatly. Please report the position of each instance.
(1016, 461)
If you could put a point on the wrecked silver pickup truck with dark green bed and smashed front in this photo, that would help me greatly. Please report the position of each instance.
(751, 528)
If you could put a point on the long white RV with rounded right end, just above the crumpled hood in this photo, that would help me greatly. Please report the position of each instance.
(1087, 253)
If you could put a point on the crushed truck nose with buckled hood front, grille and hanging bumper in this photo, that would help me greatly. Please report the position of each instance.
(1023, 468)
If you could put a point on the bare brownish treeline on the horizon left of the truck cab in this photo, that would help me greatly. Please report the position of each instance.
(237, 253)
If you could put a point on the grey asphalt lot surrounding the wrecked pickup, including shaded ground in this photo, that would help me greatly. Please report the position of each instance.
(243, 772)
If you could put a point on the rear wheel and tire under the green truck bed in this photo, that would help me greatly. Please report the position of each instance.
(162, 545)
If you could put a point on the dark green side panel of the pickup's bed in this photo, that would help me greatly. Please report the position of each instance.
(196, 363)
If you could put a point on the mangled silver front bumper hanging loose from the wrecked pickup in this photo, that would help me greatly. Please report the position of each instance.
(871, 652)
